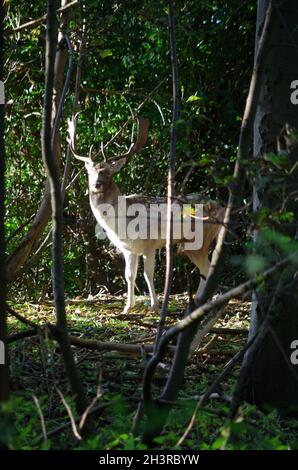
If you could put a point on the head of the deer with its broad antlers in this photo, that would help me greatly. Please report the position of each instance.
(100, 175)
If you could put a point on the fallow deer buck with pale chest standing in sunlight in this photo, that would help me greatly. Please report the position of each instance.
(104, 194)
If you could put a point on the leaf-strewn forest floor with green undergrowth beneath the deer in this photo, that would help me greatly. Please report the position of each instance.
(38, 377)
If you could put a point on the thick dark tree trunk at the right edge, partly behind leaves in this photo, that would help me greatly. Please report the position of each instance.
(268, 378)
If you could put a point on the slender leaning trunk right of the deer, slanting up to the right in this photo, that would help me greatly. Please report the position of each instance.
(186, 337)
